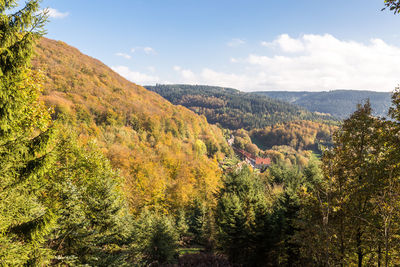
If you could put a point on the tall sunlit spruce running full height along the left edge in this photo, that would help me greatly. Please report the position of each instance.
(25, 141)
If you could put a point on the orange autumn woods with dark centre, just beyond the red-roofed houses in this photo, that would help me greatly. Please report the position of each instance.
(293, 143)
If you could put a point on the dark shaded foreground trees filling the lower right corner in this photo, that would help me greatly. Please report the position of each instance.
(340, 211)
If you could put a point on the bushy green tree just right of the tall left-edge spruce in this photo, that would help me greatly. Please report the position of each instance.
(93, 225)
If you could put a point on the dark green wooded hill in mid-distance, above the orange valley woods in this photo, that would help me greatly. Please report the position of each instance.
(232, 108)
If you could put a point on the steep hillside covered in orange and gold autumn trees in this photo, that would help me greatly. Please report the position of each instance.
(167, 154)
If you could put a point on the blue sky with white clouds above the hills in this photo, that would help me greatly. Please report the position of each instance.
(251, 45)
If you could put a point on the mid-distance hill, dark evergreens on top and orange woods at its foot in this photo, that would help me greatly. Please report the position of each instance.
(284, 136)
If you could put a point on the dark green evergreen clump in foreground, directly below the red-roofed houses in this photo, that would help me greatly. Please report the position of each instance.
(246, 220)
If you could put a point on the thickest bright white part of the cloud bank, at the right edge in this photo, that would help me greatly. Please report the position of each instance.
(324, 62)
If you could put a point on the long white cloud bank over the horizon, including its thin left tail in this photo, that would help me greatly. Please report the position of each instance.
(310, 62)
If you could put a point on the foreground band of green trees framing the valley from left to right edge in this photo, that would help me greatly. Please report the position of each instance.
(62, 203)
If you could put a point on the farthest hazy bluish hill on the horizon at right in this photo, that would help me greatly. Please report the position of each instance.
(338, 103)
